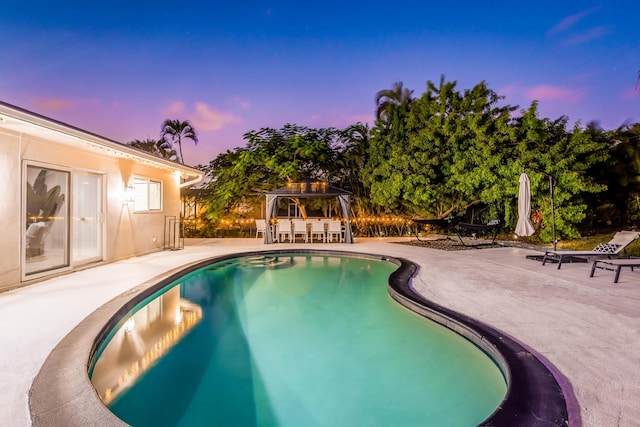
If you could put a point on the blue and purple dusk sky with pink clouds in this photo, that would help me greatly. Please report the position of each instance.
(119, 69)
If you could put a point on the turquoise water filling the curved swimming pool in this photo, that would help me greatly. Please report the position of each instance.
(304, 340)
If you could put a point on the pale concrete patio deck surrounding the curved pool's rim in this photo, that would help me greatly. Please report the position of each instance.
(586, 328)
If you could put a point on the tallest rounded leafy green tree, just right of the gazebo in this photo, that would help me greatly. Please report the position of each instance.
(441, 155)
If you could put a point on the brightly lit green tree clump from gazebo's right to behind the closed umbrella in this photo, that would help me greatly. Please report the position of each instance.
(451, 150)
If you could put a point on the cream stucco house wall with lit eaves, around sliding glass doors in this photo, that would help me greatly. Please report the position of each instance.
(28, 140)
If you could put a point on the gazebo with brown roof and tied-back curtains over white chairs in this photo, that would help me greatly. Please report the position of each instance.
(307, 190)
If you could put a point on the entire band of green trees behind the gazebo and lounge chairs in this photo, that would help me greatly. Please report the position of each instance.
(446, 152)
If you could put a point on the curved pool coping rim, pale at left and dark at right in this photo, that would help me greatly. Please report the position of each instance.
(62, 394)
